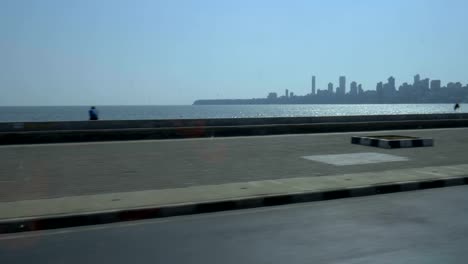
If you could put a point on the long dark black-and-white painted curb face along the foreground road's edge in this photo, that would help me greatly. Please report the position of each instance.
(106, 217)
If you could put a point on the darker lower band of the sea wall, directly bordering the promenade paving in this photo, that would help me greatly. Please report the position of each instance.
(41, 137)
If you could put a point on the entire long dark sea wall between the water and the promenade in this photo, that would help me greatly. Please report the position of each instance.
(88, 131)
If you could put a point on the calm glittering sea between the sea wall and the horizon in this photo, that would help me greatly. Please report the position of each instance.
(72, 113)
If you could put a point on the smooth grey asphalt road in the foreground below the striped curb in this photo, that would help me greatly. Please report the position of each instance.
(428, 226)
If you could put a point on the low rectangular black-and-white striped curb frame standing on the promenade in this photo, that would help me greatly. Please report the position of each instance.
(392, 143)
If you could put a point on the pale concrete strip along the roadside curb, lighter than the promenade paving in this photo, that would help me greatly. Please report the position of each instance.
(226, 192)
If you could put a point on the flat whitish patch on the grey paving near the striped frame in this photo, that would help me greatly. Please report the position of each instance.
(355, 158)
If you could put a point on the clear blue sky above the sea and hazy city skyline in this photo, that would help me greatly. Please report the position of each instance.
(86, 52)
